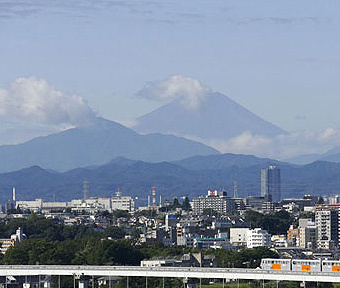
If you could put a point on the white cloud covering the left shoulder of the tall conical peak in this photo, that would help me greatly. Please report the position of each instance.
(189, 90)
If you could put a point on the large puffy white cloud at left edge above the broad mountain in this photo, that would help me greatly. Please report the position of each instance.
(35, 100)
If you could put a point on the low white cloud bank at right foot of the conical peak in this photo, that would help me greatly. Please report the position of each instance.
(282, 146)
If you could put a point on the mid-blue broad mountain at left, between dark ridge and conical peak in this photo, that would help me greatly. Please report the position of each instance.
(97, 144)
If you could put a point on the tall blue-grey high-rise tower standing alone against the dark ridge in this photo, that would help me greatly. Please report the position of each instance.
(271, 184)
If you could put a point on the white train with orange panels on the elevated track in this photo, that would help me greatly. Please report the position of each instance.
(300, 265)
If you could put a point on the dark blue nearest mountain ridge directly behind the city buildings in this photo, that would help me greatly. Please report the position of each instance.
(136, 178)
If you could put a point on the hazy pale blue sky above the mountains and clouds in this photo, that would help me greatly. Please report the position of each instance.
(280, 60)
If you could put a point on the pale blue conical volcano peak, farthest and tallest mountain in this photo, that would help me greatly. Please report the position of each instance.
(217, 118)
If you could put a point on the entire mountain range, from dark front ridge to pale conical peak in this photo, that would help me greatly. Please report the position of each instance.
(54, 166)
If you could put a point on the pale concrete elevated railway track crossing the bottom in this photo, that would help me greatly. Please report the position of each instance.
(168, 272)
